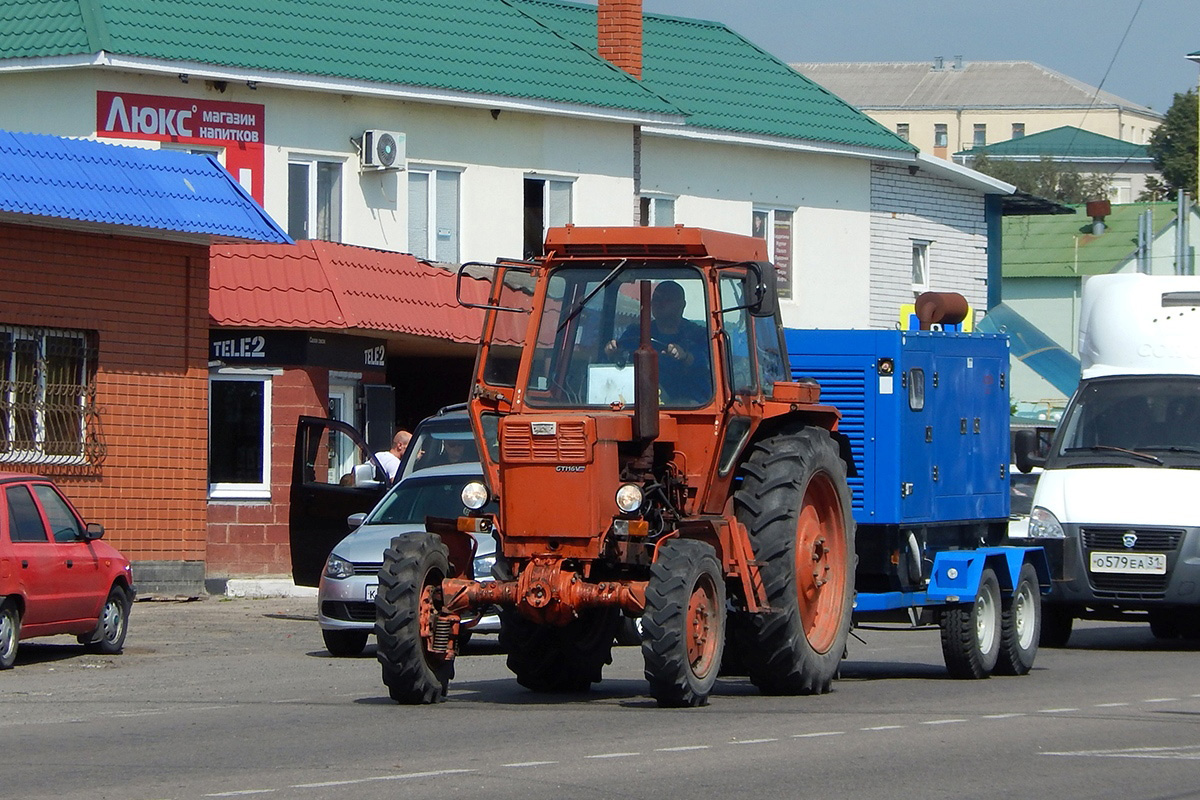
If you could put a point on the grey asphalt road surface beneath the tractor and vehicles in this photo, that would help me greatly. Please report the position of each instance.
(238, 699)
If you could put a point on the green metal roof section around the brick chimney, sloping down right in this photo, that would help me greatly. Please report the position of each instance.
(727, 83)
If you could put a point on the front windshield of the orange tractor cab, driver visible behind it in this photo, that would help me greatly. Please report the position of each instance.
(591, 329)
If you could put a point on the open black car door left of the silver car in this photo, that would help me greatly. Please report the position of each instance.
(334, 474)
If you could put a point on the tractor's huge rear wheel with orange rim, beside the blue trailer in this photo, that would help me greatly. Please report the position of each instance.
(795, 503)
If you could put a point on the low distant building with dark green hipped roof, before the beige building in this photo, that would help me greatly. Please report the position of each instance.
(1127, 165)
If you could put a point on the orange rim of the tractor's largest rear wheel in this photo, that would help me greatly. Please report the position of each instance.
(821, 563)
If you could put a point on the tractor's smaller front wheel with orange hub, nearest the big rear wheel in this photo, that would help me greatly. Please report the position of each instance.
(685, 624)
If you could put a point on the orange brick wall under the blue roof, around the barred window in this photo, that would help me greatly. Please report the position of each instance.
(148, 303)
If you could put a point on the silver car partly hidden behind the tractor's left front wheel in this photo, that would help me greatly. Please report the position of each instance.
(346, 596)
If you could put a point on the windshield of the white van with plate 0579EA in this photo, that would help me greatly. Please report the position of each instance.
(1144, 420)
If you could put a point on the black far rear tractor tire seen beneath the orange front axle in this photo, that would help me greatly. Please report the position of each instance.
(568, 659)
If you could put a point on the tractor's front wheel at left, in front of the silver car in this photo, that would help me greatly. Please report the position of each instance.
(411, 585)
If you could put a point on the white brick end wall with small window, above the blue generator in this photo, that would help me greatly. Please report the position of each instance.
(951, 219)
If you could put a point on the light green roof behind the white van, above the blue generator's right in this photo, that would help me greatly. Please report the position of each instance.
(1065, 246)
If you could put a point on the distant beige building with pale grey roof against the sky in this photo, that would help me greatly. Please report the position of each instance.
(944, 107)
